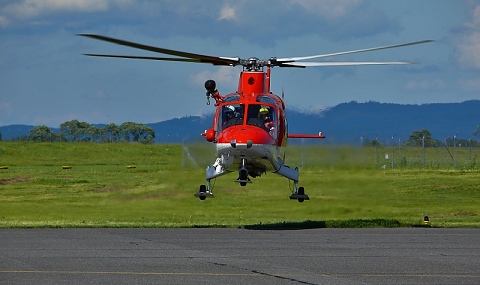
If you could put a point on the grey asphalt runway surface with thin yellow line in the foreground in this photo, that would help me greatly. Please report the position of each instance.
(239, 256)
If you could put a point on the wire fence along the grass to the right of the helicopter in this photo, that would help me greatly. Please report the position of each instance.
(394, 157)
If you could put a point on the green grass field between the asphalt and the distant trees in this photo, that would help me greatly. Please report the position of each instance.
(348, 187)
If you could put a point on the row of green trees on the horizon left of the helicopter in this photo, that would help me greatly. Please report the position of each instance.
(76, 131)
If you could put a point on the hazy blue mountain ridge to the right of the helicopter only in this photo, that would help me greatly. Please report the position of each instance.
(348, 122)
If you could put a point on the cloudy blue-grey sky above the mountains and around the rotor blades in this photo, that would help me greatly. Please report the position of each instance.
(46, 80)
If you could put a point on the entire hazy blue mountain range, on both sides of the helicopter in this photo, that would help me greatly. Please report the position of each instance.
(344, 123)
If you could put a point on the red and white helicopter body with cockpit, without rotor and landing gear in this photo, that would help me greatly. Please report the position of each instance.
(249, 127)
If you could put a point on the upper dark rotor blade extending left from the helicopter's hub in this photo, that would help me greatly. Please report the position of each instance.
(202, 58)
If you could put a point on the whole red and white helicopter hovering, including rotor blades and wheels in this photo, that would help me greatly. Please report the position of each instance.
(249, 127)
